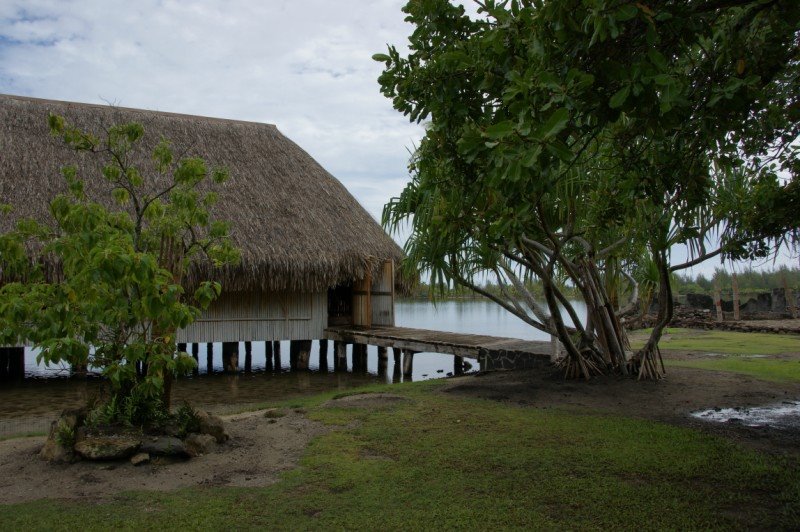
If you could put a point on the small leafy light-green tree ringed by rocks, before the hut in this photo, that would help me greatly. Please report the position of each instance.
(102, 286)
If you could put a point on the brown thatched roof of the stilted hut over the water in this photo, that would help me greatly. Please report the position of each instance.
(297, 227)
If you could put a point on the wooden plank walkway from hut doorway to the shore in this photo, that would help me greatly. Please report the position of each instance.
(423, 340)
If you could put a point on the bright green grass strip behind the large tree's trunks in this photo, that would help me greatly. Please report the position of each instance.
(729, 342)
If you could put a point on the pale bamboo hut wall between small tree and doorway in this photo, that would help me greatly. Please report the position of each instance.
(247, 316)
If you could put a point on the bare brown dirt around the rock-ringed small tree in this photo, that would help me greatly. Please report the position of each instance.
(259, 450)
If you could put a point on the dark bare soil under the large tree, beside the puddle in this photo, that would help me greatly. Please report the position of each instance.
(671, 400)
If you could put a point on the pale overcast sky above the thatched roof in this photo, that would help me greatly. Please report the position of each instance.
(303, 65)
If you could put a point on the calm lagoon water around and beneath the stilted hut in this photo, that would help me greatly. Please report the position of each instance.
(29, 405)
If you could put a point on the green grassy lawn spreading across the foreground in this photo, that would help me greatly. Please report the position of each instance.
(439, 461)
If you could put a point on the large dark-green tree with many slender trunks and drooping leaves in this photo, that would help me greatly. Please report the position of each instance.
(572, 140)
